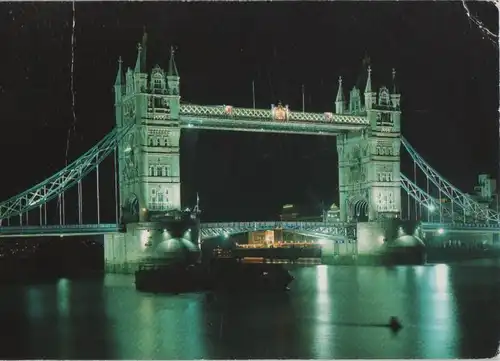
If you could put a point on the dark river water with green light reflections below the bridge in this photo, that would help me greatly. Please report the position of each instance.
(447, 311)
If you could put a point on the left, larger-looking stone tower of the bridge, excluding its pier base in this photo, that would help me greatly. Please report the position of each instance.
(148, 157)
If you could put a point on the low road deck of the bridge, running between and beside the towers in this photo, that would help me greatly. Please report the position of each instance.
(209, 230)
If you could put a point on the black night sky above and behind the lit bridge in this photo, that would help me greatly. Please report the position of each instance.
(447, 68)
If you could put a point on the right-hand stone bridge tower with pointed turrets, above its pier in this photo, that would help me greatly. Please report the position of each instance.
(369, 160)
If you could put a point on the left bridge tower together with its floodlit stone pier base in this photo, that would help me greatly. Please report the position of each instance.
(148, 167)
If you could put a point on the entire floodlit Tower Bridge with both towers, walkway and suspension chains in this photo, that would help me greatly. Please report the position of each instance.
(146, 153)
